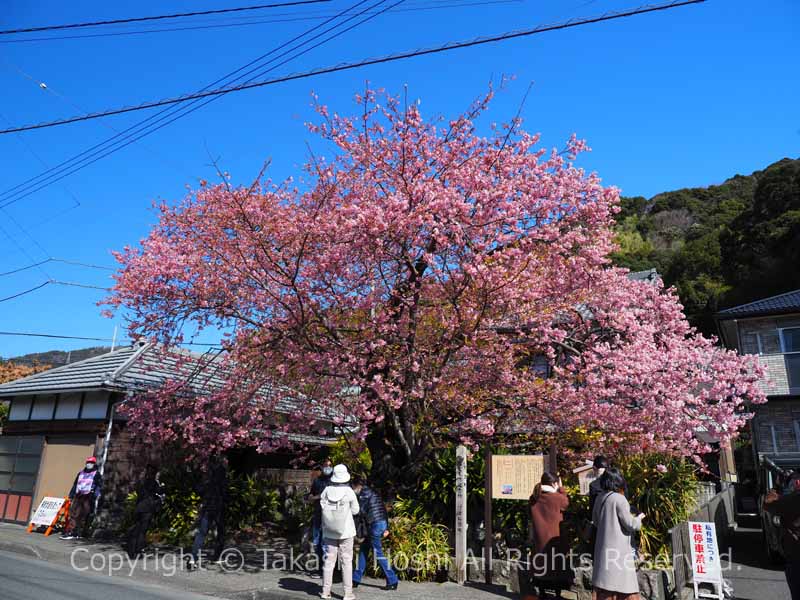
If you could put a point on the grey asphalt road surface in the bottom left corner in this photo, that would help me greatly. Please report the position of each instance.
(23, 578)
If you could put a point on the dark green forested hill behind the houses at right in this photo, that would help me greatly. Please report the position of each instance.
(720, 245)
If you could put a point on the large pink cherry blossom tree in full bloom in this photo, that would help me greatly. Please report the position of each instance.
(410, 287)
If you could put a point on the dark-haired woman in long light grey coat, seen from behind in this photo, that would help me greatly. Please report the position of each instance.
(614, 567)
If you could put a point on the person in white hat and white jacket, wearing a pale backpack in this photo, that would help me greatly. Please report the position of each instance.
(338, 504)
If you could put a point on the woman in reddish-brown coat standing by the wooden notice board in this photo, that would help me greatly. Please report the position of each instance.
(550, 567)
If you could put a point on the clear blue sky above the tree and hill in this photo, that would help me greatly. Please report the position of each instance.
(685, 97)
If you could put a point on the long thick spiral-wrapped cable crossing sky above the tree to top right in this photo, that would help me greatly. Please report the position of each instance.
(355, 65)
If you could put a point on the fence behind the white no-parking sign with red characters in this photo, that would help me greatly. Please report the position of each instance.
(720, 510)
